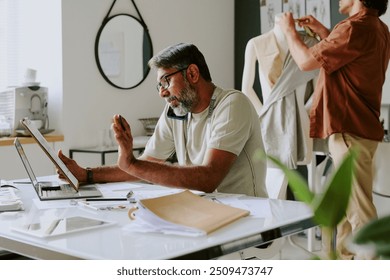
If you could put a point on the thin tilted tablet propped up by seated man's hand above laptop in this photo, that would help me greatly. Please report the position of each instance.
(50, 153)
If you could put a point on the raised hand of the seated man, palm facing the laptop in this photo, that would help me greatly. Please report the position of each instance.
(125, 141)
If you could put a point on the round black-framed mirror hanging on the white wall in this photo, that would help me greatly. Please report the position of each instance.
(122, 50)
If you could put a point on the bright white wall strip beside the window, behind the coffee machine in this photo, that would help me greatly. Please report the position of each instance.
(41, 47)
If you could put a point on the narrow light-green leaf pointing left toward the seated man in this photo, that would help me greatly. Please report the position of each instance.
(297, 183)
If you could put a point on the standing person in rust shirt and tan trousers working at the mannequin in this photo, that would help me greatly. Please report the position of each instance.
(353, 60)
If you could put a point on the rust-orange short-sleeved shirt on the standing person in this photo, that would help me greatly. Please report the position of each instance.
(354, 59)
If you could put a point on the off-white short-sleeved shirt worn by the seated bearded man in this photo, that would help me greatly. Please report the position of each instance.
(232, 126)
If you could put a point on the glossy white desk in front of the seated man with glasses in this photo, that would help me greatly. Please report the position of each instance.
(288, 217)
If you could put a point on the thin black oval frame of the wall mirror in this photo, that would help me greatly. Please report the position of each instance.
(97, 40)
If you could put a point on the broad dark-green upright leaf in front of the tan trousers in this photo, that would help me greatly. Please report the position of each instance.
(330, 208)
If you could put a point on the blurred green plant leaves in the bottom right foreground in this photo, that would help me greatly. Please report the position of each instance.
(329, 208)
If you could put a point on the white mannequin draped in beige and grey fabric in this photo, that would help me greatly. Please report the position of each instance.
(270, 50)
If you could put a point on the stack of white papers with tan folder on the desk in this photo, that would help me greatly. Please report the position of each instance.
(183, 213)
